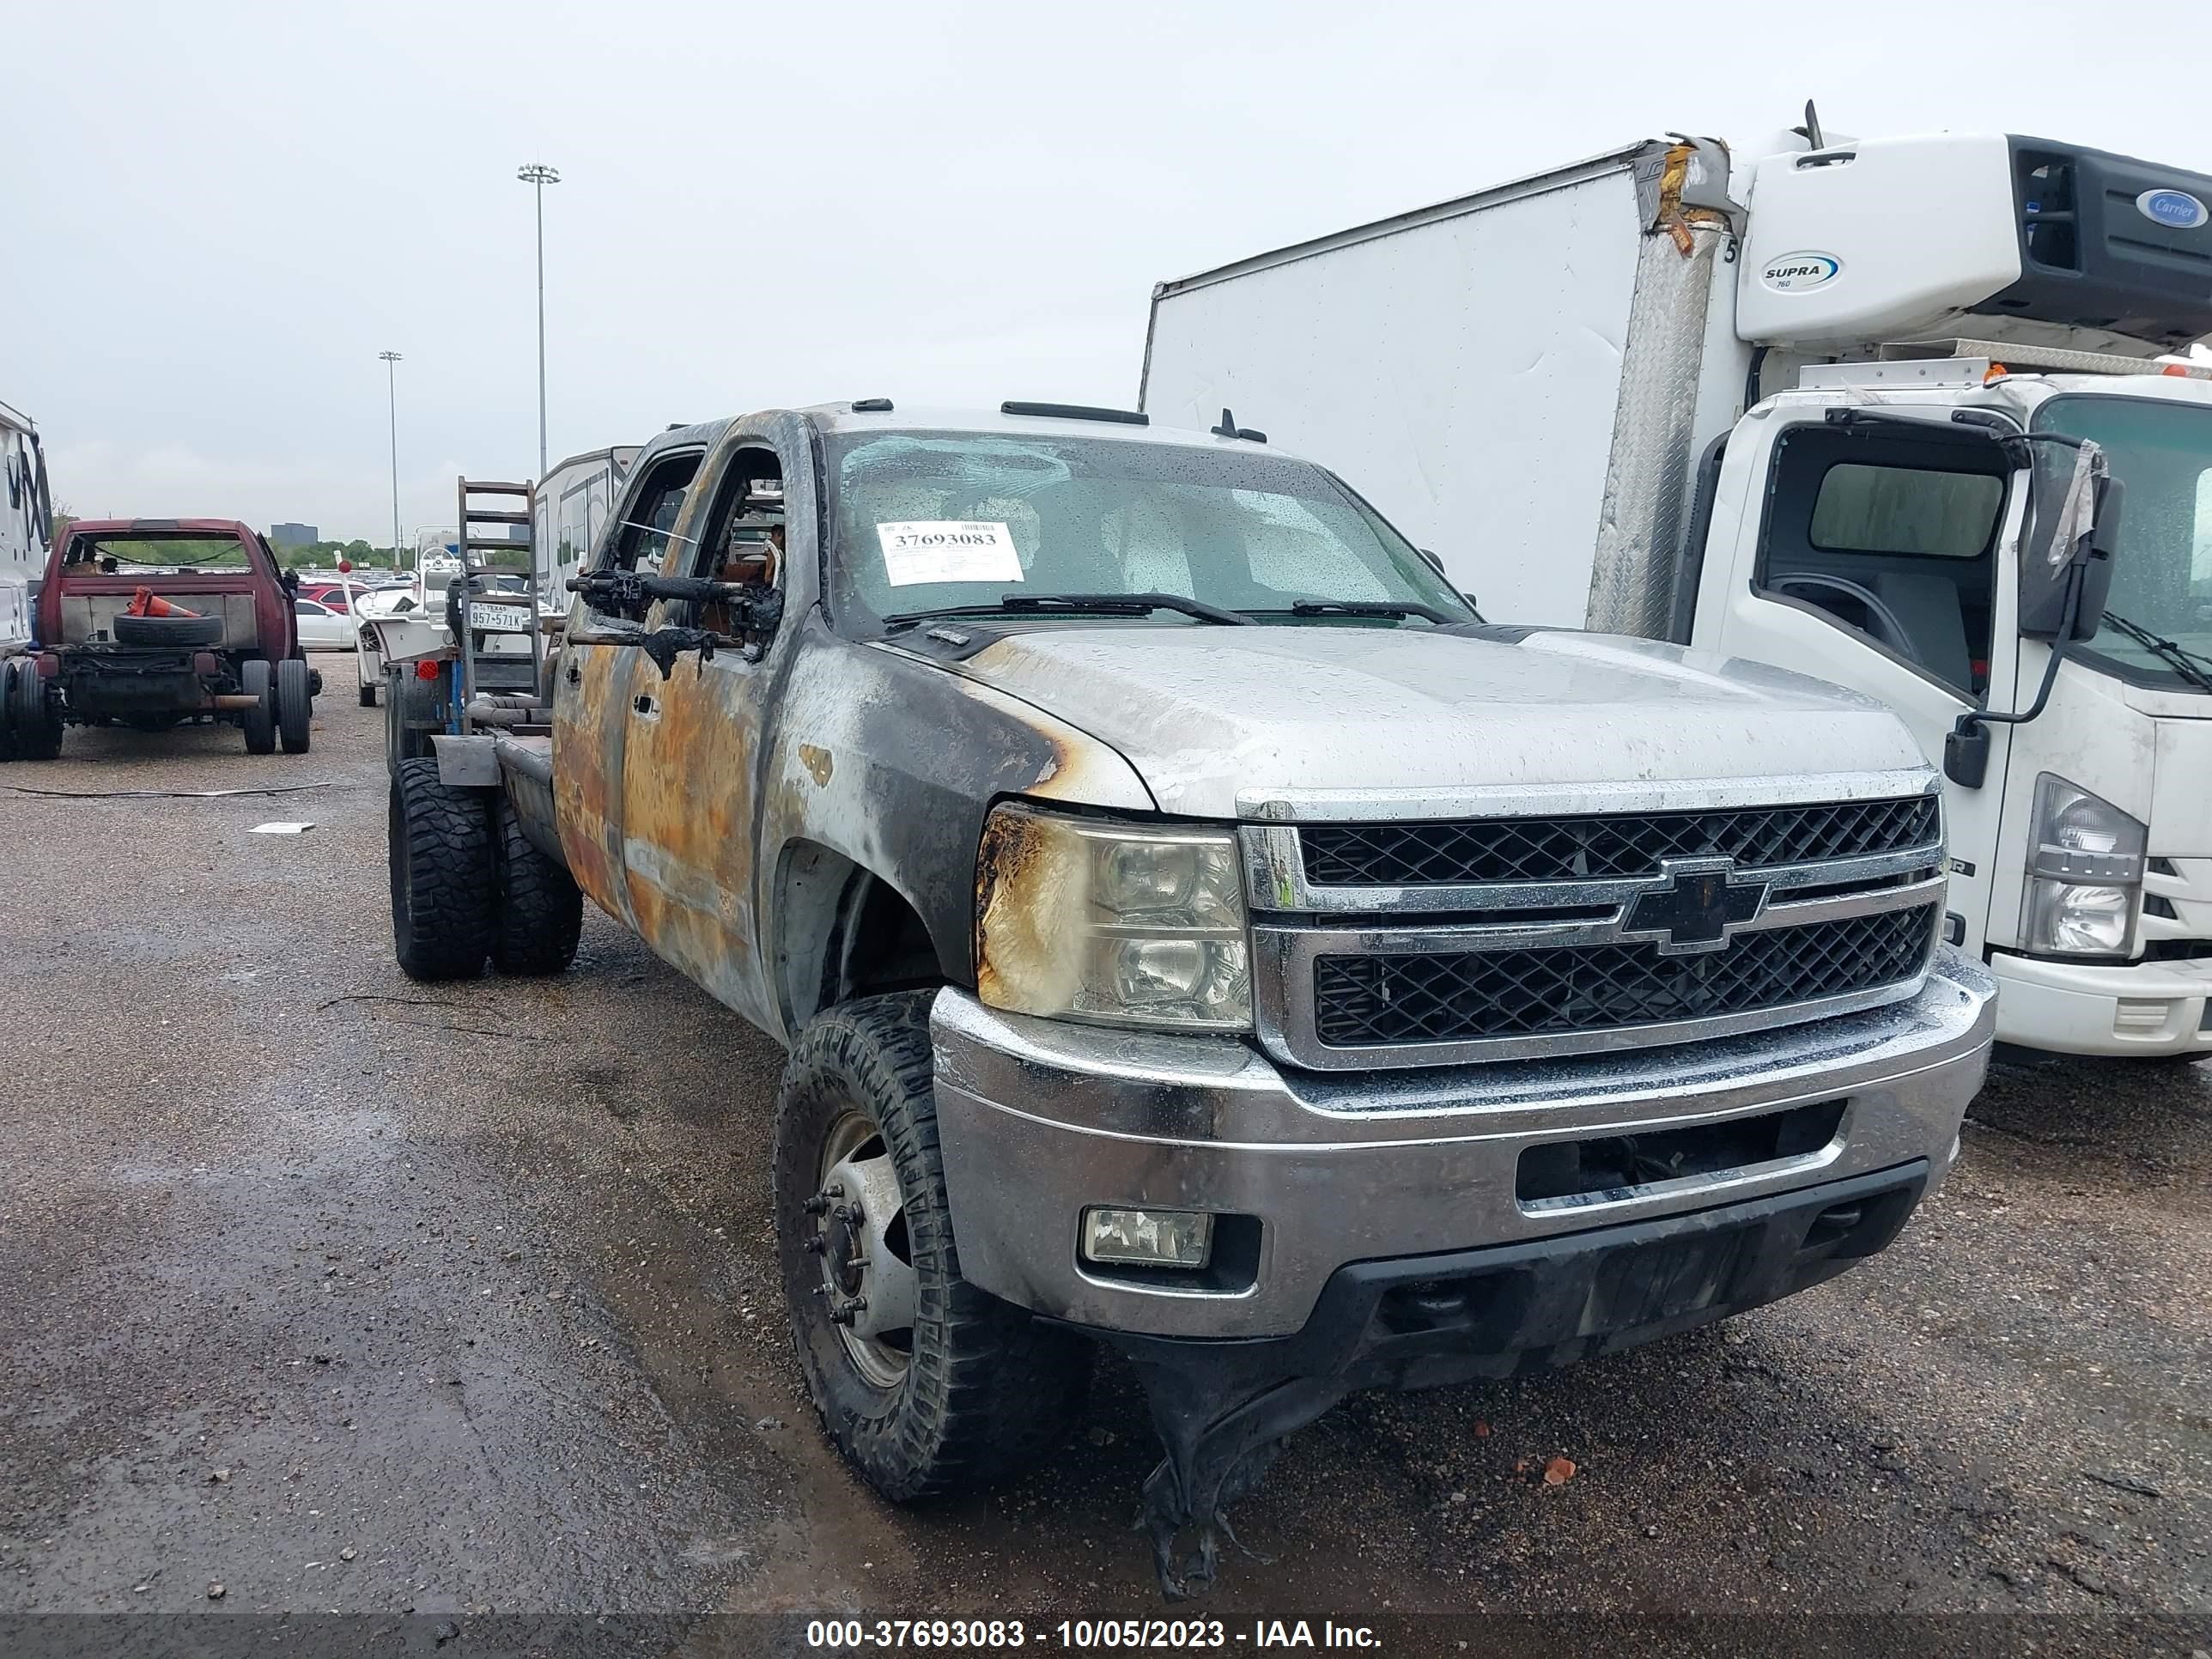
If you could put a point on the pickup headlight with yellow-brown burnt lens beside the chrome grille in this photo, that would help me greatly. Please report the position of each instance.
(1116, 924)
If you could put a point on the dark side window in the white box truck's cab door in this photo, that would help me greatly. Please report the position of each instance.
(1892, 539)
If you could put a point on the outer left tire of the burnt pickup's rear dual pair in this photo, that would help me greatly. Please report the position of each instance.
(441, 875)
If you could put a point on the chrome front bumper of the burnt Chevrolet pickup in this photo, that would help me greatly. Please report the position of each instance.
(1043, 1118)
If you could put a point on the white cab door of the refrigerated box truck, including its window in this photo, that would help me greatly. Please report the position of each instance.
(1877, 556)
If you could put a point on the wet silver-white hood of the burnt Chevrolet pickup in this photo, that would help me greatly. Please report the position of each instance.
(1224, 720)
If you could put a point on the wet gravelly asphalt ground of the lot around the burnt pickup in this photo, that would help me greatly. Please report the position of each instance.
(322, 1291)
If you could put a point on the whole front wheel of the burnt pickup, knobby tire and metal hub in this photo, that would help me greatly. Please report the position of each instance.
(924, 1381)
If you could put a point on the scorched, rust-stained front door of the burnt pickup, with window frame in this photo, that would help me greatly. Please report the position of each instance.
(693, 758)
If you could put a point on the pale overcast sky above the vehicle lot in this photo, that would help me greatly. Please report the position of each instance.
(218, 216)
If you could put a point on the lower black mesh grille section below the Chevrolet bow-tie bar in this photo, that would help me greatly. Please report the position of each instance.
(1472, 997)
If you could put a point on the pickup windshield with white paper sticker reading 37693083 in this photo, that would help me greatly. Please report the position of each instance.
(932, 521)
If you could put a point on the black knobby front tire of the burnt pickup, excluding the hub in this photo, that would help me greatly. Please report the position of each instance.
(988, 1390)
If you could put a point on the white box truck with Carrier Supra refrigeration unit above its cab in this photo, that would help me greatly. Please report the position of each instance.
(1793, 408)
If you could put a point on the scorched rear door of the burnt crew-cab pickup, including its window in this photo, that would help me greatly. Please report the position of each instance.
(594, 682)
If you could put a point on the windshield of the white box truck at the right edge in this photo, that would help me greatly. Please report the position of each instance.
(2162, 581)
